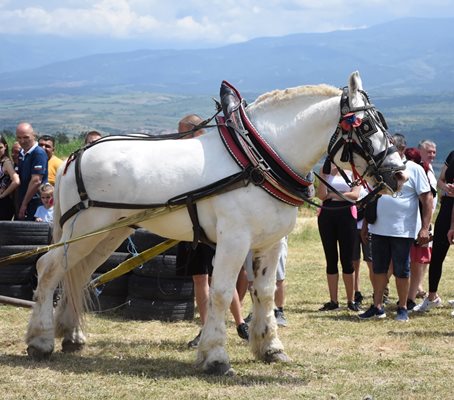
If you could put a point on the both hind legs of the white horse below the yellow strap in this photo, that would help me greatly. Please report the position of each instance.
(73, 268)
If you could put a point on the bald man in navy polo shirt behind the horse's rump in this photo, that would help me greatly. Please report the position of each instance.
(32, 171)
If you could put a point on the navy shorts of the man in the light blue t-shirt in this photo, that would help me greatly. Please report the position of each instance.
(396, 249)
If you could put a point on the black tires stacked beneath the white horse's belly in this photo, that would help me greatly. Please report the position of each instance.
(152, 291)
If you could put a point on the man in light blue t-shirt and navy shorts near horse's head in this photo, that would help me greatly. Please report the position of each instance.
(398, 224)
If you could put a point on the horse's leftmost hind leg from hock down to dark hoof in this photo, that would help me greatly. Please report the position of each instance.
(40, 332)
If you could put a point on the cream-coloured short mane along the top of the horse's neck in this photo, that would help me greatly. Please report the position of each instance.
(290, 93)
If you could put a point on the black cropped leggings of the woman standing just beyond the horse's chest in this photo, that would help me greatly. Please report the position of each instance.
(337, 226)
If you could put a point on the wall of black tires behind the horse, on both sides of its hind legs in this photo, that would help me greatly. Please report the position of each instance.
(152, 291)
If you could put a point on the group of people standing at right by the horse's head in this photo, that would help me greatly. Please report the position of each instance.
(395, 234)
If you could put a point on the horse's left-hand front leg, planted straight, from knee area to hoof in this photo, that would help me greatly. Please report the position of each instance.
(212, 355)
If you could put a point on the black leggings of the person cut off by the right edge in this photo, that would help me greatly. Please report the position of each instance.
(440, 245)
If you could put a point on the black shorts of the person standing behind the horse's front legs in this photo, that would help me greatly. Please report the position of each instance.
(198, 261)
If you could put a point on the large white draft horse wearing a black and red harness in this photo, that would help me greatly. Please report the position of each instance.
(297, 123)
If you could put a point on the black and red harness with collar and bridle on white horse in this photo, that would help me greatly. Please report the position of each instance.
(259, 163)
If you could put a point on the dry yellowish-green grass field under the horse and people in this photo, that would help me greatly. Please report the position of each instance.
(335, 356)
